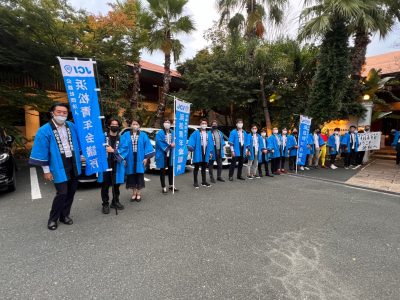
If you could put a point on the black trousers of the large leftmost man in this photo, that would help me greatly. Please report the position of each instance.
(65, 192)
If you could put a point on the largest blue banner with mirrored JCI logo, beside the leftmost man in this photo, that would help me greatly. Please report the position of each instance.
(80, 85)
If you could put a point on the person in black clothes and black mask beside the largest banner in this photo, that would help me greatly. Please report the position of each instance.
(115, 176)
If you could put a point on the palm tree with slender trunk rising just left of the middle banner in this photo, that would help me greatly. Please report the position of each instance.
(165, 20)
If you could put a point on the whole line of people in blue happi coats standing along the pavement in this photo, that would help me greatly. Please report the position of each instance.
(56, 149)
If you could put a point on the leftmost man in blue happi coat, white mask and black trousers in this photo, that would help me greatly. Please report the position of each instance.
(56, 149)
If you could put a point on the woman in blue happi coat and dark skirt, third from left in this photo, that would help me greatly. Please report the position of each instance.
(136, 149)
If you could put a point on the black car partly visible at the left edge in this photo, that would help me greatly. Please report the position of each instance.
(8, 180)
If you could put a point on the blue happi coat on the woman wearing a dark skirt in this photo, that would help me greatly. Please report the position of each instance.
(144, 150)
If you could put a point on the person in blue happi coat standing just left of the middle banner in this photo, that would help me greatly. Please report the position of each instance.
(164, 155)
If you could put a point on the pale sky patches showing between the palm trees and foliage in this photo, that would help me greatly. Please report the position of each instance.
(204, 13)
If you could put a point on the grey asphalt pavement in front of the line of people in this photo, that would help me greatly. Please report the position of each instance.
(277, 238)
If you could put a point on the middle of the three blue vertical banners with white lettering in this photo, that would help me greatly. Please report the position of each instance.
(182, 116)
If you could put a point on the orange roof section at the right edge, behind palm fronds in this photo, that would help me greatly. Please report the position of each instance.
(389, 63)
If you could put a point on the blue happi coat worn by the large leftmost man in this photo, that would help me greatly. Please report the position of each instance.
(45, 152)
